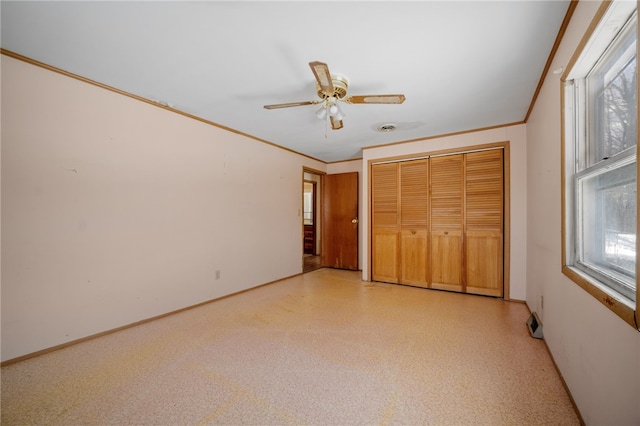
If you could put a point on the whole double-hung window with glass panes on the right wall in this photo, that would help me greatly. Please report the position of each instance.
(600, 169)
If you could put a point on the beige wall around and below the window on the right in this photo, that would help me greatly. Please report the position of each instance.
(597, 352)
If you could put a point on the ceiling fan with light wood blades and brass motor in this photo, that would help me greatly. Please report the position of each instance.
(332, 89)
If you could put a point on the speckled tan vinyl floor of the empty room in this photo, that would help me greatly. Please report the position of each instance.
(322, 348)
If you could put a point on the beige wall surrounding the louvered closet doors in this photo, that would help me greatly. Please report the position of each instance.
(517, 147)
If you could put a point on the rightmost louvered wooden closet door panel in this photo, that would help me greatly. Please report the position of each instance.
(484, 223)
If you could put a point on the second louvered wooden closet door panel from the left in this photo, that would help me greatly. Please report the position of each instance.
(414, 204)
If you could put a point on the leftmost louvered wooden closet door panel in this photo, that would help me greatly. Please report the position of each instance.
(385, 225)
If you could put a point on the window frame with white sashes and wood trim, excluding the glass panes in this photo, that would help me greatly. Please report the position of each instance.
(574, 126)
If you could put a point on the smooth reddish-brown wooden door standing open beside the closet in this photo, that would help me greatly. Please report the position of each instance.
(340, 221)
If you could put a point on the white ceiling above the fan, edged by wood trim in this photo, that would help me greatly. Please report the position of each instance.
(461, 65)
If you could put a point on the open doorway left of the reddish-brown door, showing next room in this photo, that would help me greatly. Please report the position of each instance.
(311, 220)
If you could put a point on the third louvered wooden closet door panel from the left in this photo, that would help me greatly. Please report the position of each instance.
(447, 218)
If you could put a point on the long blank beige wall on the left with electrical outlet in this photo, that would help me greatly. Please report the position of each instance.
(115, 211)
